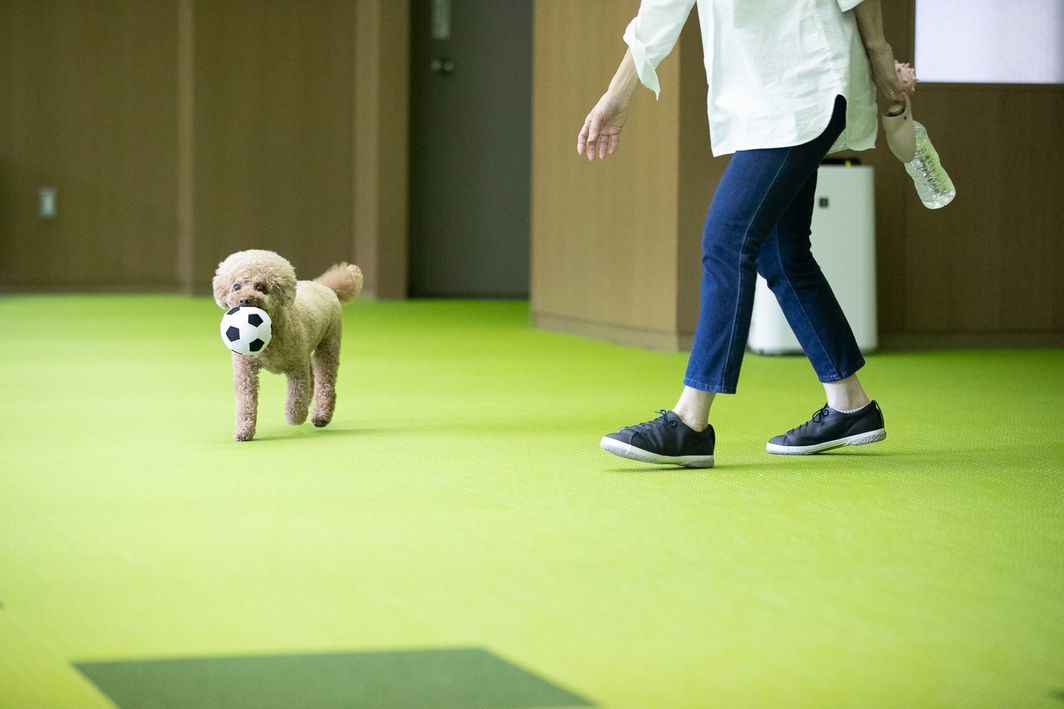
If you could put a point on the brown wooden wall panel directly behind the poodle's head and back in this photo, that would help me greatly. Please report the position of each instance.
(273, 138)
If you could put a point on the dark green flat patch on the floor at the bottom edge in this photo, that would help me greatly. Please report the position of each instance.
(467, 679)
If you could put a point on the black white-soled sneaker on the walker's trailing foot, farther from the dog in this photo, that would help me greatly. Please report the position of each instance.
(832, 430)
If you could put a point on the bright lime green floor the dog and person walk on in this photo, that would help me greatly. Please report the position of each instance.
(460, 503)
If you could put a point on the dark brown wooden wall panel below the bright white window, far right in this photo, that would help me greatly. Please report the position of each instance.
(991, 262)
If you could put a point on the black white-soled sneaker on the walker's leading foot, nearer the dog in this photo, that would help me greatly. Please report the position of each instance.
(667, 441)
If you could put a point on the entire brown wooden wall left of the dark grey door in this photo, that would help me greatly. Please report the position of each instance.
(178, 131)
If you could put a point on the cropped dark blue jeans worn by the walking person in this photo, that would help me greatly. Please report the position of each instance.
(759, 223)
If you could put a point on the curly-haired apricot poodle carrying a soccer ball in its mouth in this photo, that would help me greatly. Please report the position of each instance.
(307, 329)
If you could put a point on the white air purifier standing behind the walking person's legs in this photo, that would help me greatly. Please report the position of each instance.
(844, 244)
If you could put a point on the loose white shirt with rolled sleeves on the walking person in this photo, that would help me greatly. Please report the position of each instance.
(774, 69)
